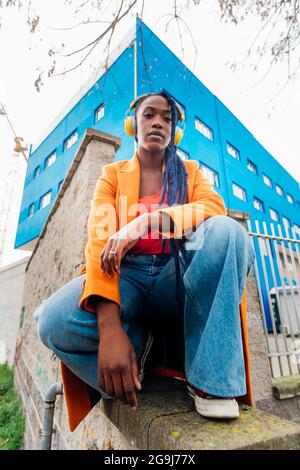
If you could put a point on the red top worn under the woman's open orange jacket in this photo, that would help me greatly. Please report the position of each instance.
(151, 242)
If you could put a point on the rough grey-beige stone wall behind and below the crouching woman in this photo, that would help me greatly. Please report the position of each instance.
(57, 257)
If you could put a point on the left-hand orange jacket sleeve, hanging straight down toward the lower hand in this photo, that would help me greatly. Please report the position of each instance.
(102, 223)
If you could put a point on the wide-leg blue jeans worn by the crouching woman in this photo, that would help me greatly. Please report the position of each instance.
(214, 266)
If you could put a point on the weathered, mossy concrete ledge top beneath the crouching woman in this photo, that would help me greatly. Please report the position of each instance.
(167, 420)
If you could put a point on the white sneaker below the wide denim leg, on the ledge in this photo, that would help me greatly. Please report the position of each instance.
(212, 407)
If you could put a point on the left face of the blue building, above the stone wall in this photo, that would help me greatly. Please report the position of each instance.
(101, 106)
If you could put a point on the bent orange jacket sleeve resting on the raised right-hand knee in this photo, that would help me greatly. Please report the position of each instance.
(205, 203)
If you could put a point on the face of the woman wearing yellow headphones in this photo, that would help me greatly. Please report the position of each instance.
(153, 116)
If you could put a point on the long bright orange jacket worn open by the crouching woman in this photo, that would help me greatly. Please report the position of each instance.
(118, 180)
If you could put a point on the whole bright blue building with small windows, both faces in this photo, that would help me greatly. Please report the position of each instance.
(241, 170)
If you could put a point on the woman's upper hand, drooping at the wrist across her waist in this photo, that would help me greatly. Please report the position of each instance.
(120, 242)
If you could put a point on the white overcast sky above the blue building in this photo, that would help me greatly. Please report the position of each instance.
(272, 120)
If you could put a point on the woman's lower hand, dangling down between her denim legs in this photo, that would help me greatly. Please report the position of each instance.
(117, 366)
